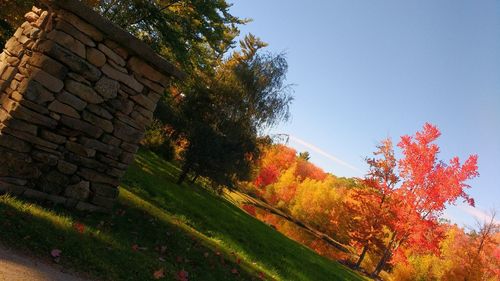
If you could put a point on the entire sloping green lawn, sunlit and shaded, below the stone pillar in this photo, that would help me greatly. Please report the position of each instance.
(160, 225)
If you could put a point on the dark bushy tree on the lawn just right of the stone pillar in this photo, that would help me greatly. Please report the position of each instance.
(222, 115)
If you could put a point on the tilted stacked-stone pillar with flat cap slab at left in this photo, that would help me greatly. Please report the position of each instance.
(74, 104)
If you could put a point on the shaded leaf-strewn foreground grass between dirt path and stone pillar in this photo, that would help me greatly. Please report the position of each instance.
(128, 245)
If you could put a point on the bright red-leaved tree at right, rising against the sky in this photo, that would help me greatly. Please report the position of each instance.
(427, 186)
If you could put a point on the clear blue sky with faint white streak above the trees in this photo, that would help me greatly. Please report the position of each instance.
(367, 70)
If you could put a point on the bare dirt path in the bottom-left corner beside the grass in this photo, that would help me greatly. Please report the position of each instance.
(19, 267)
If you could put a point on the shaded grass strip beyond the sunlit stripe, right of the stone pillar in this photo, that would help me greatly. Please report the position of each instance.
(153, 180)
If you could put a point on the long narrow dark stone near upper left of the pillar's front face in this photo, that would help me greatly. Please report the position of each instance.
(71, 60)
